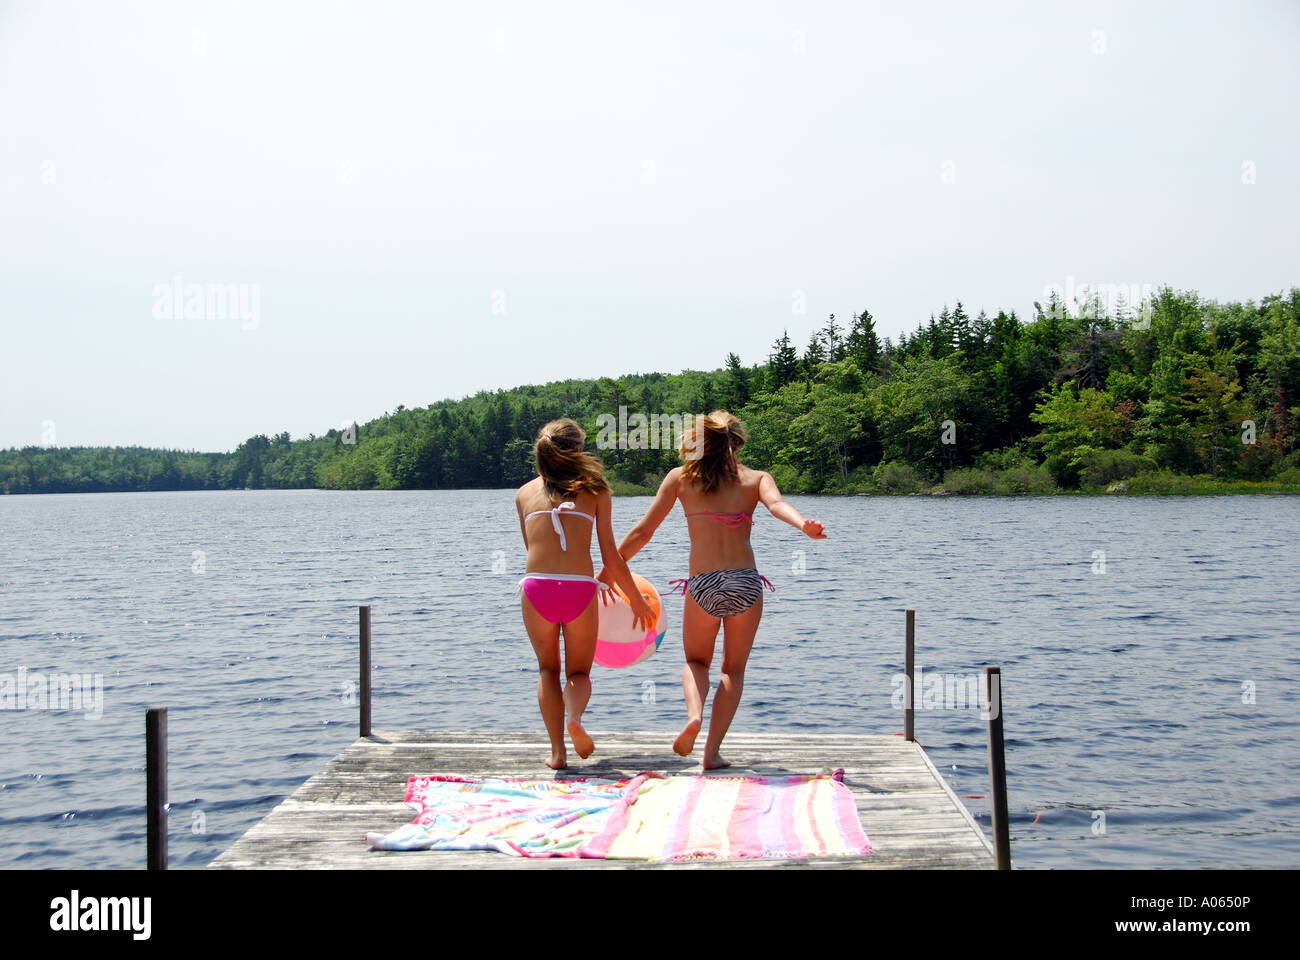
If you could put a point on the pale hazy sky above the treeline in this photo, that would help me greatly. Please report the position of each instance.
(424, 201)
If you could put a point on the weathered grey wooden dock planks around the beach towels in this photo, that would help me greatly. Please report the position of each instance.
(908, 811)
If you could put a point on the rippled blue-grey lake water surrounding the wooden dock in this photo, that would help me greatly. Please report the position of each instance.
(1150, 694)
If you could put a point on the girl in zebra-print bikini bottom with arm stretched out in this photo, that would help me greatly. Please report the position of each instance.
(718, 495)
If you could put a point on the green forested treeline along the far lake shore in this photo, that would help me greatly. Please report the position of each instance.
(1082, 396)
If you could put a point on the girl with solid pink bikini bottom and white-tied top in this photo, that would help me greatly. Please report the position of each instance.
(557, 513)
